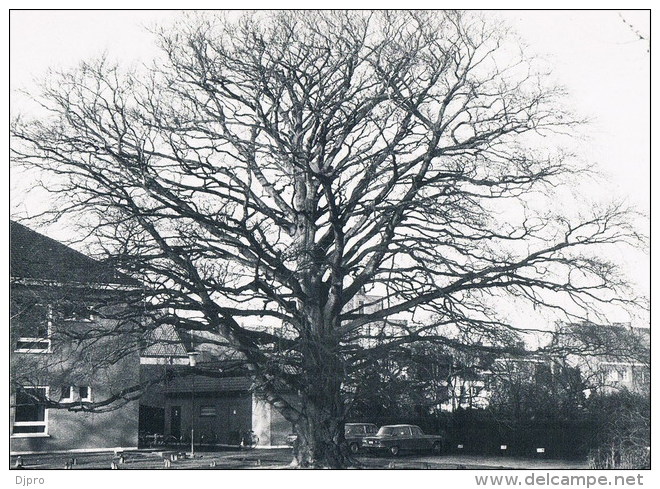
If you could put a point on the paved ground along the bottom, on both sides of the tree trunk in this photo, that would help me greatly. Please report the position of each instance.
(275, 459)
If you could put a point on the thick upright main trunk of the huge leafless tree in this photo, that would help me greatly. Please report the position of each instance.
(320, 427)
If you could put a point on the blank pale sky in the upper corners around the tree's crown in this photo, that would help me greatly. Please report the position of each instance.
(597, 56)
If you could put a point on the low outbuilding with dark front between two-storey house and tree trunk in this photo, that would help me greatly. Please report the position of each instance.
(213, 403)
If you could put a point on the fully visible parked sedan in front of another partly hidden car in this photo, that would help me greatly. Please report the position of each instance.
(394, 438)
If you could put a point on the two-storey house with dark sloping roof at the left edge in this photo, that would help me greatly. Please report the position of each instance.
(61, 302)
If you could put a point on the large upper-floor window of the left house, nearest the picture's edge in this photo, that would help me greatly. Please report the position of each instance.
(33, 324)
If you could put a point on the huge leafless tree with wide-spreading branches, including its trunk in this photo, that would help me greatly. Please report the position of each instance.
(274, 167)
